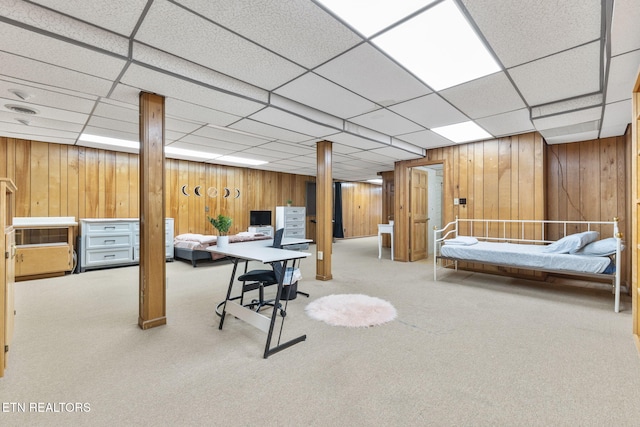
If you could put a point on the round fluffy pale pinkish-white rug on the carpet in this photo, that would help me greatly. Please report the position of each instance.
(351, 310)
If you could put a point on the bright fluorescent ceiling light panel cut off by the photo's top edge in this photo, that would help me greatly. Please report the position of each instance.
(371, 16)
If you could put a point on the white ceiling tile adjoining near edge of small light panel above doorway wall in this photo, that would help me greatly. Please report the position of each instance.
(430, 111)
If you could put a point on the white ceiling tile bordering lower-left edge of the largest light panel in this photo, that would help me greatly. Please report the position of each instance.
(367, 72)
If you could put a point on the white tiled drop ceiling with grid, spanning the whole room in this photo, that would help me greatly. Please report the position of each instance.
(268, 79)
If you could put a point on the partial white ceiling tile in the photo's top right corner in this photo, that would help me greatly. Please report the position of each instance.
(625, 36)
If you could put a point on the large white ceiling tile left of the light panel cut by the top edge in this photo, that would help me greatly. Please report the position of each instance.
(312, 36)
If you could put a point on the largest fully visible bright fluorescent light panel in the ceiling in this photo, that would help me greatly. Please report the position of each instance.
(439, 47)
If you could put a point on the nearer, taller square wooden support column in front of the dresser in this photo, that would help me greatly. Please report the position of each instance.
(152, 222)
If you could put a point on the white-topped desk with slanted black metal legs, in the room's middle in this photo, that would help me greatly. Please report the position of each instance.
(257, 251)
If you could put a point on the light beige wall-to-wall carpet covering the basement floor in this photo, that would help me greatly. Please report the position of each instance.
(468, 350)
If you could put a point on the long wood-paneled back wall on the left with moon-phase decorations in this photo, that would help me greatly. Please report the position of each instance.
(65, 180)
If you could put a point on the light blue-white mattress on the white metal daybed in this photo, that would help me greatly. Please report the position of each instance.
(521, 255)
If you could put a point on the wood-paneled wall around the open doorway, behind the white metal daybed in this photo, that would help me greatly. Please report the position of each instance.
(500, 179)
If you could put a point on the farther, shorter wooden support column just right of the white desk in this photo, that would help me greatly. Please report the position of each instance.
(324, 211)
